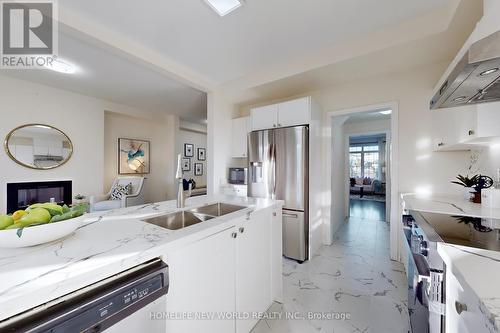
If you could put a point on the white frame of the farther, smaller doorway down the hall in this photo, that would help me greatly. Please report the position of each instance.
(388, 138)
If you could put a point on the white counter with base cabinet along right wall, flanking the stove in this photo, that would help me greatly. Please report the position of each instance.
(473, 295)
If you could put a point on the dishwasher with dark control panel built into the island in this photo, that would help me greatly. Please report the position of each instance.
(131, 301)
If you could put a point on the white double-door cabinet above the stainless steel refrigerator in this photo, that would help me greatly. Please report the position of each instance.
(290, 113)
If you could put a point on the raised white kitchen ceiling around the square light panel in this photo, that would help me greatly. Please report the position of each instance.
(259, 34)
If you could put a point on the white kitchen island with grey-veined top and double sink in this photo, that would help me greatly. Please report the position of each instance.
(115, 241)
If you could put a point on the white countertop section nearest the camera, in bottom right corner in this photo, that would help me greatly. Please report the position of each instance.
(479, 271)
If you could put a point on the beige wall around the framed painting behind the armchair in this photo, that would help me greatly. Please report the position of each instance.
(160, 184)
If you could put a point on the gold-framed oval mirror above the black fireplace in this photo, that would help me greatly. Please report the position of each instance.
(38, 146)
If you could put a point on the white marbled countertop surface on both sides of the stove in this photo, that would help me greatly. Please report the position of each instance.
(475, 269)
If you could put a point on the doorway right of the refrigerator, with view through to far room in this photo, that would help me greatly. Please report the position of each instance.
(363, 176)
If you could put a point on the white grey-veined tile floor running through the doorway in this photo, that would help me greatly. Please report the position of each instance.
(350, 286)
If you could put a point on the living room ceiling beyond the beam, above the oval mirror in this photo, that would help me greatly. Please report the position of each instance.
(107, 75)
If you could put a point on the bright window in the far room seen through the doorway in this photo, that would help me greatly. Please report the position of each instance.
(364, 161)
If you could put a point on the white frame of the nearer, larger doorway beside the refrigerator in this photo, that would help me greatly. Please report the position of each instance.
(393, 164)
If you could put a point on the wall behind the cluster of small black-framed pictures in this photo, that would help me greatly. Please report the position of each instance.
(196, 135)
